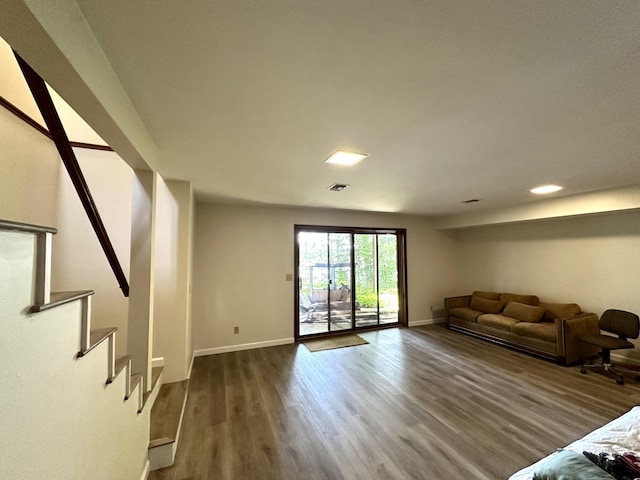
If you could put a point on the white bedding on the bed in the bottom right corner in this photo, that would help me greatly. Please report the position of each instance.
(618, 436)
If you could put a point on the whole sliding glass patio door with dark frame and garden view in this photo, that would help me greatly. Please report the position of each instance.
(348, 279)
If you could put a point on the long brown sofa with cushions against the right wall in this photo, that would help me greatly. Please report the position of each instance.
(525, 323)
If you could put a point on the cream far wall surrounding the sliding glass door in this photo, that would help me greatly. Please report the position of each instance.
(243, 253)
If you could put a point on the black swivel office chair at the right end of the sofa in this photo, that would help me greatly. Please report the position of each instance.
(625, 325)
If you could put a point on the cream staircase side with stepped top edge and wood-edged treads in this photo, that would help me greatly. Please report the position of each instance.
(68, 407)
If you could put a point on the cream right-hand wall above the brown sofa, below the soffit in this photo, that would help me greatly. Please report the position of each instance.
(592, 260)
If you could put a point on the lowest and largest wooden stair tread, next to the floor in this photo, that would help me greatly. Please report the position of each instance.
(167, 412)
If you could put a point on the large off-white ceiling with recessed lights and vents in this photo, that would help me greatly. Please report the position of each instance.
(453, 100)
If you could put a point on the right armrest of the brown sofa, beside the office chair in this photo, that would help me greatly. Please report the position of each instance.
(572, 349)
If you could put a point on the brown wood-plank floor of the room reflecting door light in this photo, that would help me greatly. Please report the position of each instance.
(419, 403)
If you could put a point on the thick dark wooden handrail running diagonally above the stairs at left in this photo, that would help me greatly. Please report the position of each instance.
(50, 115)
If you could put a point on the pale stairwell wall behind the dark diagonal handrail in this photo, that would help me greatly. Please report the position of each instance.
(78, 260)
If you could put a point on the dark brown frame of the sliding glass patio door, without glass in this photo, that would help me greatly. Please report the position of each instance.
(401, 254)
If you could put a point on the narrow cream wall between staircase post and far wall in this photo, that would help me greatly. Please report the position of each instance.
(172, 297)
